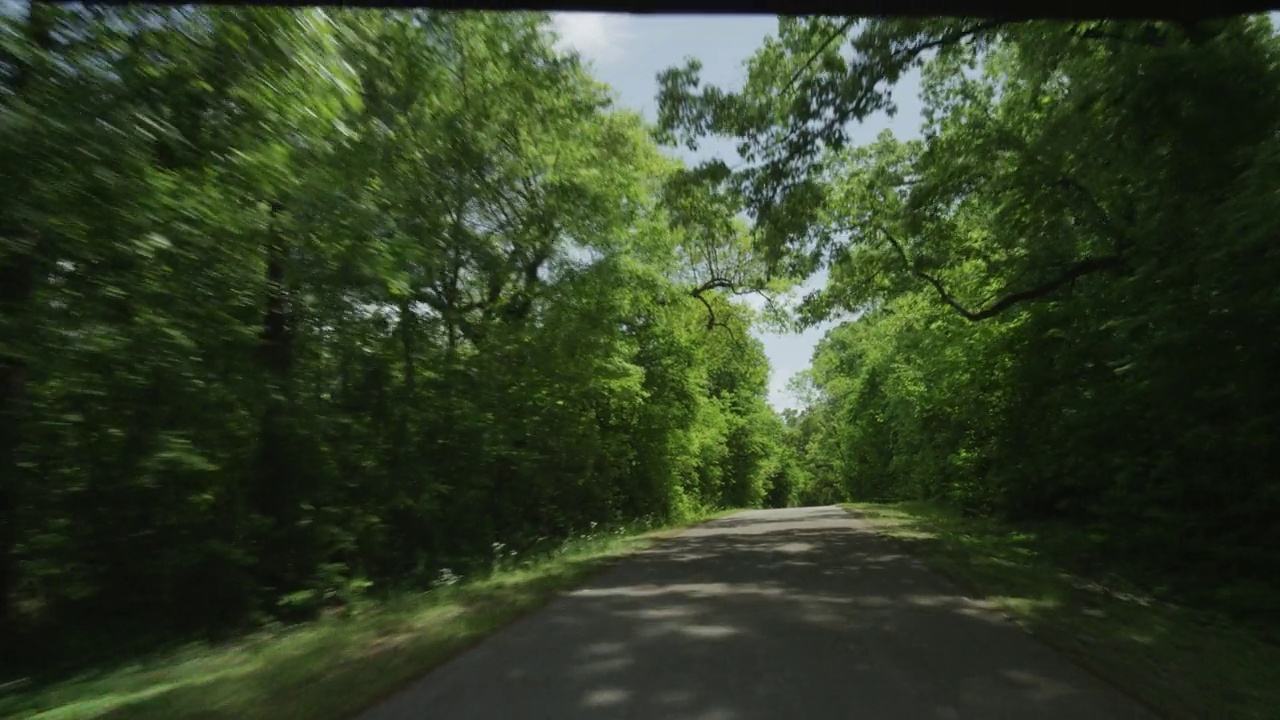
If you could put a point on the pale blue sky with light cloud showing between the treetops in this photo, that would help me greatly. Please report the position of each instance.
(629, 52)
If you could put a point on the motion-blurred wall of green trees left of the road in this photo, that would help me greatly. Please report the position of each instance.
(307, 306)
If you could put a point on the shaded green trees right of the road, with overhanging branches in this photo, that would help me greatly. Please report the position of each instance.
(1060, 303)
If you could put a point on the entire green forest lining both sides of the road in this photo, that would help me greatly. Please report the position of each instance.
(303, 307)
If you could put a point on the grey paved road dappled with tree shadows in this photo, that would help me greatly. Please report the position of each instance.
(799, 614)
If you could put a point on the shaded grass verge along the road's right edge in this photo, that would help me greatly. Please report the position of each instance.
(1186, 664)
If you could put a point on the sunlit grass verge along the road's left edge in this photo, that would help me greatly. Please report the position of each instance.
(337, 667)
